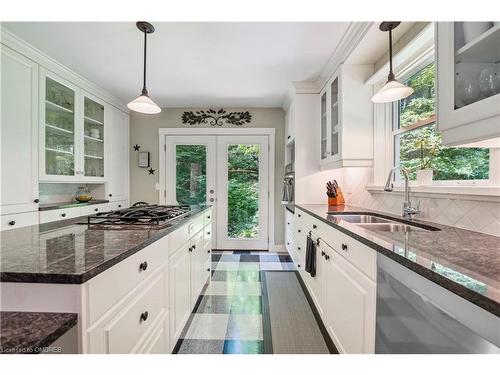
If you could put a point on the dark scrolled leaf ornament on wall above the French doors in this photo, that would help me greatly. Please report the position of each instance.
(216, 118)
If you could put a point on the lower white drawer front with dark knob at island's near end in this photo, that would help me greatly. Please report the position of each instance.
(125, 331)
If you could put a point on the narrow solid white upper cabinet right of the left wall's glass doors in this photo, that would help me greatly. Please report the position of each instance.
(117, 138)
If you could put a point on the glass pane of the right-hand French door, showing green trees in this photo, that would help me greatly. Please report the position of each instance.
(243, 191)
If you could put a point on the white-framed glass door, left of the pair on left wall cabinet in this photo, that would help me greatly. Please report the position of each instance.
(58, 135)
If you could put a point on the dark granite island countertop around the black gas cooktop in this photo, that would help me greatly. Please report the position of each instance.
(67, 252)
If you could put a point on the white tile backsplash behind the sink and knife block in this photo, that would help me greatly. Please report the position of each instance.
(480, 216)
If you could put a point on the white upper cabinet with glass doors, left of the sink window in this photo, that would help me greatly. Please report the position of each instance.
(346, 119)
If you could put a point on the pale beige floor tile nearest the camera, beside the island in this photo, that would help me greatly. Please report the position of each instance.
(208, 327)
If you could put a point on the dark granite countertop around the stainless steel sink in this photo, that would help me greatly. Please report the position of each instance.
(466, 263)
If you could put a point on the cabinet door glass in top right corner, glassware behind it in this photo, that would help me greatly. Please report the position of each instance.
(477, 61)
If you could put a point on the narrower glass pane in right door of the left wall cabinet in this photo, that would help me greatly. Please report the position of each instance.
(93, 135)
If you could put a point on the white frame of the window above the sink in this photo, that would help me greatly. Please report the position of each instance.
(394, 130)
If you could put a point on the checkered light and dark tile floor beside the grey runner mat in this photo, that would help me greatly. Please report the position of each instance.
(227, 317)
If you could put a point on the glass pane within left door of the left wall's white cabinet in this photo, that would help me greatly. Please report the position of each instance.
(59, 129)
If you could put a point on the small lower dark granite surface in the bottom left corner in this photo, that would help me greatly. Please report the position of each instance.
(30, 332)
